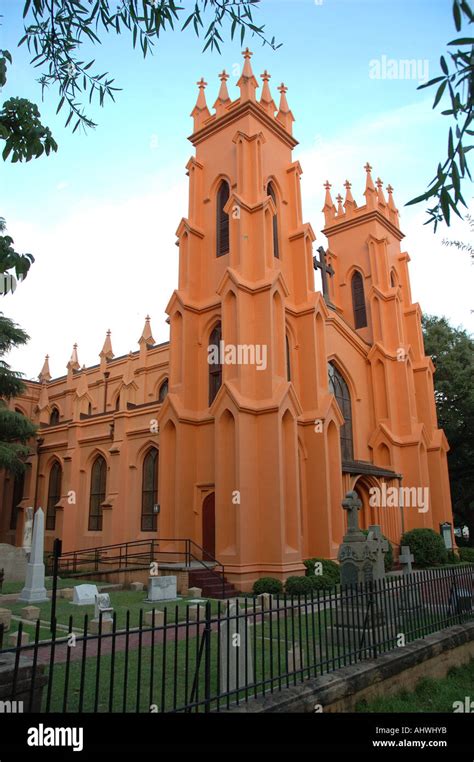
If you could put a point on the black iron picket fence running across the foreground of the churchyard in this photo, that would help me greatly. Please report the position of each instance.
(216, 655)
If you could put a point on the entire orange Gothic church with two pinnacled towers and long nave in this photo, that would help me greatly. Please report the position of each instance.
(271, 400)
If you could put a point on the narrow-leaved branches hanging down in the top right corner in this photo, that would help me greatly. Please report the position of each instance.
(458, 79)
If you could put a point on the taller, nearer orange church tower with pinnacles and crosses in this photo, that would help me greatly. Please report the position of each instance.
(230, 471)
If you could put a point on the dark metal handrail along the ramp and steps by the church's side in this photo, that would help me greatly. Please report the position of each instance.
(136, 555)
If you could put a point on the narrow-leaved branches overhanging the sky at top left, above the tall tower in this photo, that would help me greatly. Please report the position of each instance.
(55, 31)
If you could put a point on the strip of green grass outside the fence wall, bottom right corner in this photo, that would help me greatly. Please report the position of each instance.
(429, 695)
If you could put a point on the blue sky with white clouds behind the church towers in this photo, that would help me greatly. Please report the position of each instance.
(100, 215)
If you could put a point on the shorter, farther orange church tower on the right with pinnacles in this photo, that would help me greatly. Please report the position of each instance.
(370, 291)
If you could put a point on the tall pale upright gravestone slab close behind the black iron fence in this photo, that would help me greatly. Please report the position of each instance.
(236, 664)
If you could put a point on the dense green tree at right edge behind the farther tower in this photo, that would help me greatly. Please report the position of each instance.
(452, 351)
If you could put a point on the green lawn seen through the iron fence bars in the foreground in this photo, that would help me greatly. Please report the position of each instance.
(126, 676)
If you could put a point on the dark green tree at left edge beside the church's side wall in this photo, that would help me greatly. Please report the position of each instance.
(15, 428)
